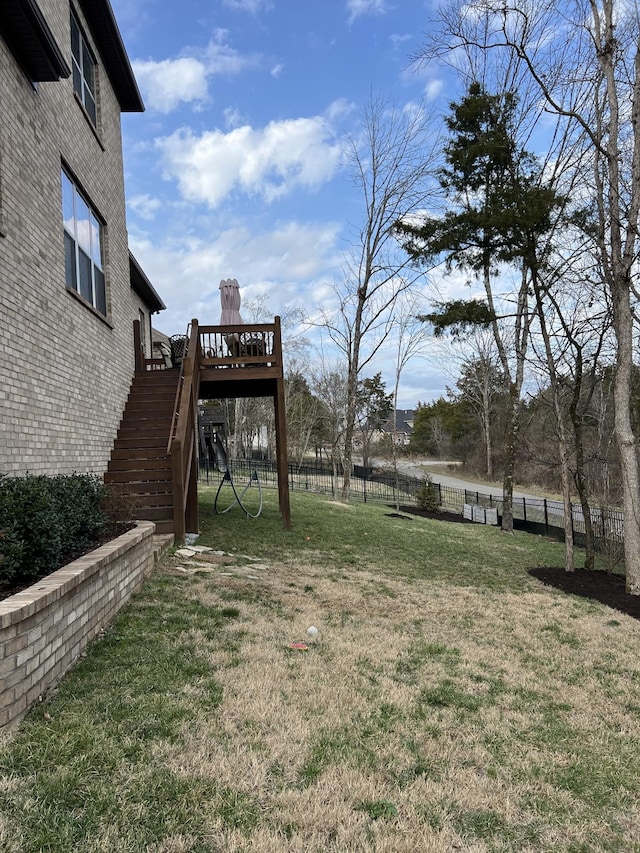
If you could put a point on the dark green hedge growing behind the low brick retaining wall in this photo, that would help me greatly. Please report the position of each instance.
(46, 522)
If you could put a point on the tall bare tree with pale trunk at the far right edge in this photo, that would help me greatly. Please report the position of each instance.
(584, 58)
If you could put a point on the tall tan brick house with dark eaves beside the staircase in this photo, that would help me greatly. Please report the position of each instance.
(69, 287)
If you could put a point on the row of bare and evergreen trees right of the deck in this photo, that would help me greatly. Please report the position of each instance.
(528, 191)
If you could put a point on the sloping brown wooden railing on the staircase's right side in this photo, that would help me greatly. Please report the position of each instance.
(181, 445)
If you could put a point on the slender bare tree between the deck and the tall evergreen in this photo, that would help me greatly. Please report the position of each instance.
(391, 162)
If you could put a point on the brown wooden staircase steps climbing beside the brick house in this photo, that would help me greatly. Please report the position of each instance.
(139, 461)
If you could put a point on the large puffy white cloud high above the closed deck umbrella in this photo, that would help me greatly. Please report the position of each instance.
(269, 162)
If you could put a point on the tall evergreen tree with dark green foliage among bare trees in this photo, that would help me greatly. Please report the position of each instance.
(499, 208)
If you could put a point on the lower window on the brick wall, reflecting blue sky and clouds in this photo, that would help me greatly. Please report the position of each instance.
(83, 246)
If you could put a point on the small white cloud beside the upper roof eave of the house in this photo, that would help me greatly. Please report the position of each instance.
(167, 83)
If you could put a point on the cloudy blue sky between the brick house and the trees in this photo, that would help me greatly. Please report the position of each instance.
(236, 167)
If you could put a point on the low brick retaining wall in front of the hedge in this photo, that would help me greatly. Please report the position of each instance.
(44, 628)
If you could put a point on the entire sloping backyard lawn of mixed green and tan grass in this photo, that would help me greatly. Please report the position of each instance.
(448, 702)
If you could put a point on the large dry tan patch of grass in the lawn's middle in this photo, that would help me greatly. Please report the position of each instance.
(309, 735)
